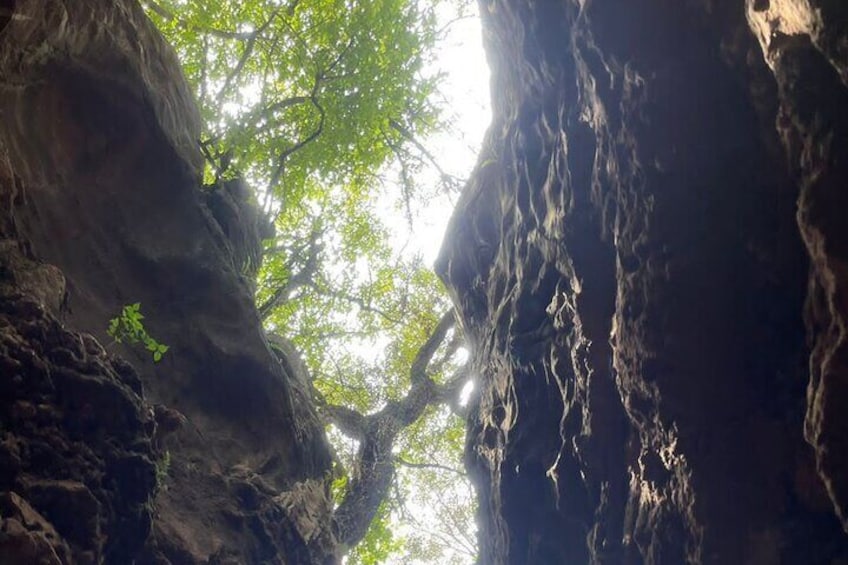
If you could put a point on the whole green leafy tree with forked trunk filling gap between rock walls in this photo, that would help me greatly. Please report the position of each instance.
(322, 106)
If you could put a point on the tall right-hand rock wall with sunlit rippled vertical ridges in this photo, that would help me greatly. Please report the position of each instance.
(651, 263)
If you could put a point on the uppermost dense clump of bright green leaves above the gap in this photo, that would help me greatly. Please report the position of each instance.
(304, 91)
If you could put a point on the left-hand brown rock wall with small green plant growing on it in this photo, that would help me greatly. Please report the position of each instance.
(99, 178)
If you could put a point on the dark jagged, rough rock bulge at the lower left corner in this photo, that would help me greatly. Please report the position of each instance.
(76, 462)
